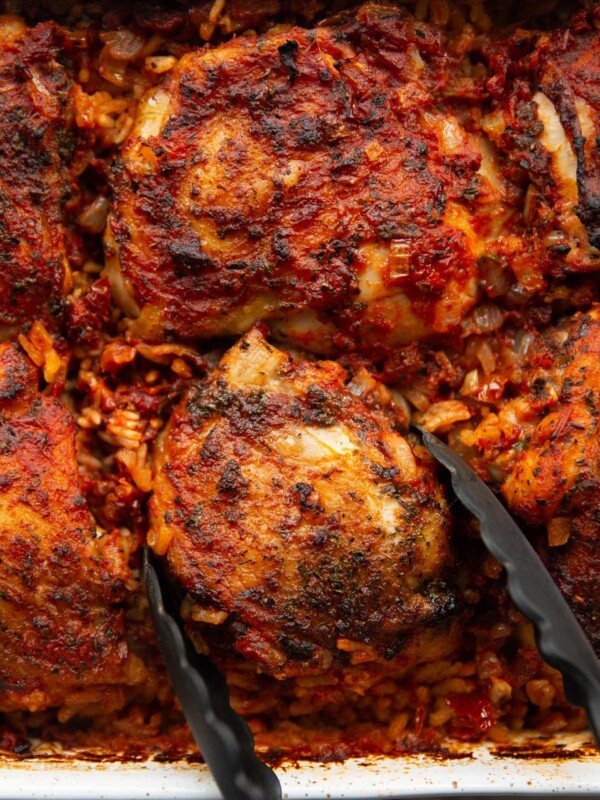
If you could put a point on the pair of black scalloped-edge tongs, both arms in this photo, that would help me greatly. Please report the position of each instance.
(224, 739)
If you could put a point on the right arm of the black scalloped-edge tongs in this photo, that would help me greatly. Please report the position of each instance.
(560, 638)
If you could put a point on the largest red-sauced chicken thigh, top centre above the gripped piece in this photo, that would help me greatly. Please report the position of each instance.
(312, 178)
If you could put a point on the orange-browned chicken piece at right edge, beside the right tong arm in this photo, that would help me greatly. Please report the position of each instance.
(546, 445)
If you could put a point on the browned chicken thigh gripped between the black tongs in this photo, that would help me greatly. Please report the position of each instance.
(300, 521)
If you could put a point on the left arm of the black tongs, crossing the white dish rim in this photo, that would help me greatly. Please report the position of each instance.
(224, 739)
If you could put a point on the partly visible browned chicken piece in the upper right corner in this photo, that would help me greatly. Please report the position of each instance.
(547, 126)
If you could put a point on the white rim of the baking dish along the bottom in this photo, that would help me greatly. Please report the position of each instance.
(568, 766)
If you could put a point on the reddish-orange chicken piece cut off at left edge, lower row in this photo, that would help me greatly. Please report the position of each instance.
(62, 580)
